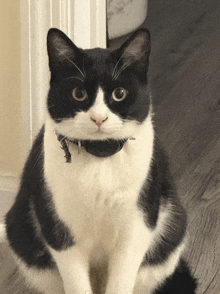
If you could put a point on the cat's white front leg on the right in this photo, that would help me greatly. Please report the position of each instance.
(126, 258)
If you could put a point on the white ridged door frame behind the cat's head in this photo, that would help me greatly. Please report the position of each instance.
(84, 21)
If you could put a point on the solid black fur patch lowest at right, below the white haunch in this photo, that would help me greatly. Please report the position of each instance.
(181, 282)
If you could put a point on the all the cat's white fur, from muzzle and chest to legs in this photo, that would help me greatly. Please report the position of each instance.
(96, 198)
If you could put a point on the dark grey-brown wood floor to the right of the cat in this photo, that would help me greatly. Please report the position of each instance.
(185, 81)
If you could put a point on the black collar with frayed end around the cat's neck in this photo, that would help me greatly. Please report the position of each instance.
(97, 148)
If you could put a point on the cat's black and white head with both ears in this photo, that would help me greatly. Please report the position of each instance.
(98, 94)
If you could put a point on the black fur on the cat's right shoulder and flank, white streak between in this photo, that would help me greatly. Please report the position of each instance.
(157, 193)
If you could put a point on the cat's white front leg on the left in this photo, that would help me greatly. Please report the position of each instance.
(73, 266)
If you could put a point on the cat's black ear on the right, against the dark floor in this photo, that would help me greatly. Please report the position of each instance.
(135, 50)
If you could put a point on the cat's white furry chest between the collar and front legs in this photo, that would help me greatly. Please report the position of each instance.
(94, 192)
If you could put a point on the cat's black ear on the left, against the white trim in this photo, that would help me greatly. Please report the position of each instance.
(60, 48)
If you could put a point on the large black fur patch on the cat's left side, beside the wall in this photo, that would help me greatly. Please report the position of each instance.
(31, 223)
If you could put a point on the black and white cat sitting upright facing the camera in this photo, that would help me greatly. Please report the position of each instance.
(97, 210)
